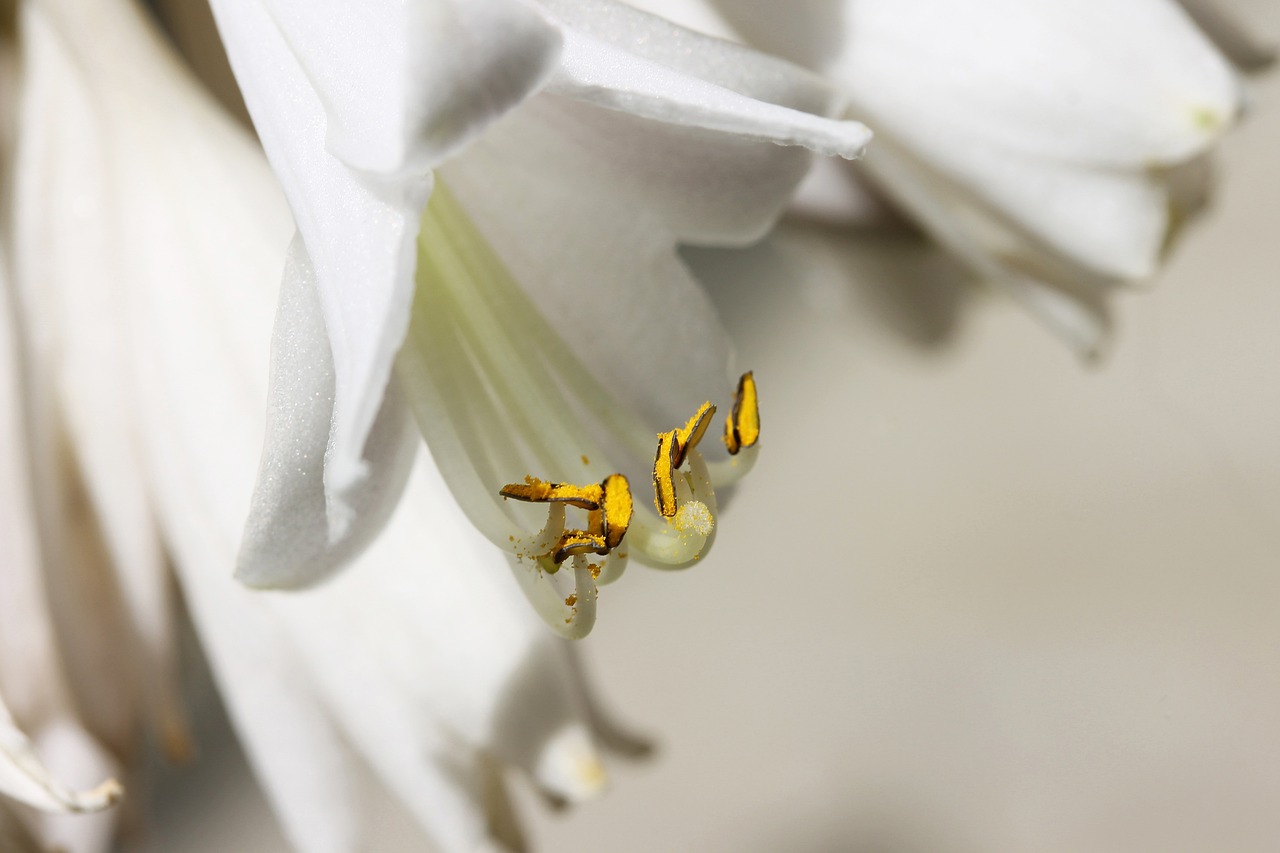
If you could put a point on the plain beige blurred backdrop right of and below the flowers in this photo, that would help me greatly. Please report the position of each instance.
(976, 596)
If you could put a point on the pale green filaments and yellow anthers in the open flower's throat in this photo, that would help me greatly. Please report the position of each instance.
(501, 396)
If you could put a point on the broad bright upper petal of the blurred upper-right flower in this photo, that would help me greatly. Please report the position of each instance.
(1081, 81)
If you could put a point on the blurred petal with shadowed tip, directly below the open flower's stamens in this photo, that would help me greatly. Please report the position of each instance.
(429, 651)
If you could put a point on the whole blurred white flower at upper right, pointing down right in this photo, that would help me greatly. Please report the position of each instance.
(1041, 142)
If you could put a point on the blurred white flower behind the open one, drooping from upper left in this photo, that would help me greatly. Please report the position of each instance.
(149, 238)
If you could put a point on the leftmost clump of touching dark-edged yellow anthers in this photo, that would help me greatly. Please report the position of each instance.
(609, 507)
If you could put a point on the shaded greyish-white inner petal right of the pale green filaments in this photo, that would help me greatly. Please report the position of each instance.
(592, 204)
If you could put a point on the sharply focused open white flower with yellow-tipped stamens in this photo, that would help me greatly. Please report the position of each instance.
(573, 147)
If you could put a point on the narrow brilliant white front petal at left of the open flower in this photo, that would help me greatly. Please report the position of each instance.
(359, 231)
